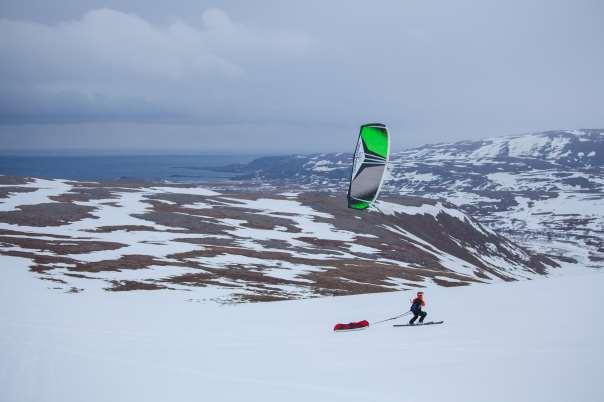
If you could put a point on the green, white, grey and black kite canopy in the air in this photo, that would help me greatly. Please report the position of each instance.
(369, 165)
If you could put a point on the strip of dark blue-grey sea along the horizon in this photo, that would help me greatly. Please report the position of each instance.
(176, 168)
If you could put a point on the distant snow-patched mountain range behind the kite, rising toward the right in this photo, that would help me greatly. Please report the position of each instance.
(544, 190)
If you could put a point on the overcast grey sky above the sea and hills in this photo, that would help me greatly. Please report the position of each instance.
(293, 76)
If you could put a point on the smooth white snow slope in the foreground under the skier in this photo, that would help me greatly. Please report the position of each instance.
(538, 341)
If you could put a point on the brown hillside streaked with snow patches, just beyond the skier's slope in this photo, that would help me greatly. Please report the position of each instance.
(232, 245)
